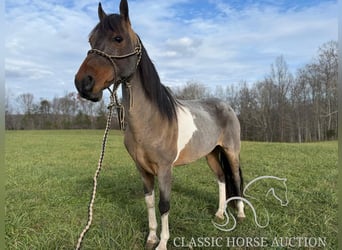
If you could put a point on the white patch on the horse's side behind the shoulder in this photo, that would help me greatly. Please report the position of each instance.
(186, 128)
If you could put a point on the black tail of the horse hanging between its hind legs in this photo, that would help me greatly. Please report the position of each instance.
(231, 187)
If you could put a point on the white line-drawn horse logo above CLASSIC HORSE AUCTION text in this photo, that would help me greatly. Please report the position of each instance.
(279, 192)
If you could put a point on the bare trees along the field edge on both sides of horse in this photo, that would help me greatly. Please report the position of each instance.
(283, 107)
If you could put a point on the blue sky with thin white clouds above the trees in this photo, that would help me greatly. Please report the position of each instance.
(212, 42)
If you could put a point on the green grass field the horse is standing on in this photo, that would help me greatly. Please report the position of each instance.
(49, 181)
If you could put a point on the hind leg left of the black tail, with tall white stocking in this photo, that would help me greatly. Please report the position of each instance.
(214, 164)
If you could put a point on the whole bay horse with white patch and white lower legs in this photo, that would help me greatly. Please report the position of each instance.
(161, 131)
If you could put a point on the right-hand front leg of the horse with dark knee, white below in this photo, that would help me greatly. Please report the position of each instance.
(164, 180)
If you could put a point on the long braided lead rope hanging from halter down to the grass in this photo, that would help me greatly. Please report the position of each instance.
(113, 102)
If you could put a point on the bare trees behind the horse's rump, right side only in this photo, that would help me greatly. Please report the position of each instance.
(284, 107)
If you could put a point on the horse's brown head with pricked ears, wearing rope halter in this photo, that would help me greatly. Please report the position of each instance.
(114, 55)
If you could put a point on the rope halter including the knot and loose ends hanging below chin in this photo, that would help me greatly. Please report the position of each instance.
(114, 98)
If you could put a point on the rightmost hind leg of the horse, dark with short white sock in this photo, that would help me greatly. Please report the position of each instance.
(237, 180)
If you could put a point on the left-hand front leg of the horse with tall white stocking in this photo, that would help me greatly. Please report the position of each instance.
(148, 181)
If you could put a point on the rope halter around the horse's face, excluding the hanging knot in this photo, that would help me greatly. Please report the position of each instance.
(137, 51)
